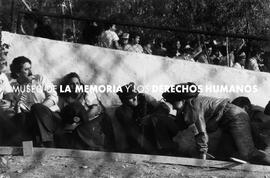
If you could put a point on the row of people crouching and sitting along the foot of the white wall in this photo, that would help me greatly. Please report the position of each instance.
(78, 120)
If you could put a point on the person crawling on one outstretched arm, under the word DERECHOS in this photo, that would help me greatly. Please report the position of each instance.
(208, 113)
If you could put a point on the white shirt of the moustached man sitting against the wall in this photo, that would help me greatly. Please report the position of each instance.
(40, 89)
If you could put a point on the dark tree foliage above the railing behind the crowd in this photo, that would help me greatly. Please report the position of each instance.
(235, 16)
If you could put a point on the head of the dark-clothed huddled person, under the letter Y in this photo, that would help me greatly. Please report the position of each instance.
(128, 95)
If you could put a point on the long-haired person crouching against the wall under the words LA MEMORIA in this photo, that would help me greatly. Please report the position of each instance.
(93, 128)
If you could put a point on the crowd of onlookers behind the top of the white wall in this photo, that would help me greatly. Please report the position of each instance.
(244, 55)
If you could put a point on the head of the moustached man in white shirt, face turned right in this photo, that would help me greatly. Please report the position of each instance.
(21, 69)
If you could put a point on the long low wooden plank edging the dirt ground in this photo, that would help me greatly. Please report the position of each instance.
(124, 157)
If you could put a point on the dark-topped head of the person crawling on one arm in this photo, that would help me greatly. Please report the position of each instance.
(178, 94)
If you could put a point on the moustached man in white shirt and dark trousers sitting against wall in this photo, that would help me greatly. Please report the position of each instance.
(36, 109)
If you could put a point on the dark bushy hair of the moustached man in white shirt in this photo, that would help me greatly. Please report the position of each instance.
(16, 65)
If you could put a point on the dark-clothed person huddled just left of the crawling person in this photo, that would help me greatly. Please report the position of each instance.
(145, 123)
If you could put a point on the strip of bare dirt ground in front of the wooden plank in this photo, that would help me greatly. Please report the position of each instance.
(60, 167)
